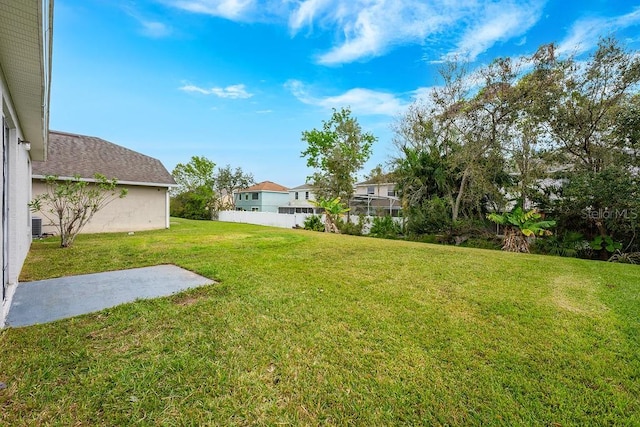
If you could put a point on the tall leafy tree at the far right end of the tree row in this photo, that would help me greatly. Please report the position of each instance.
(590, 113)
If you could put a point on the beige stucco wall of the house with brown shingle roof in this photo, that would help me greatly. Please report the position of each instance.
(144, 208)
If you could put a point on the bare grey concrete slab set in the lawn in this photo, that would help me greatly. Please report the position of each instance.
(48, 300)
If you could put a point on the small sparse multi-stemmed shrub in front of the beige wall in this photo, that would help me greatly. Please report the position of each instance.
(70, 204)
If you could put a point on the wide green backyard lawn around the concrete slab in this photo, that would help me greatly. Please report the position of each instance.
(306, 328)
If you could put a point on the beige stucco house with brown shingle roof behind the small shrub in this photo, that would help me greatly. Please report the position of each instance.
(146, 206)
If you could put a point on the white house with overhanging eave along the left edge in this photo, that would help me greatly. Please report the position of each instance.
(25, 70)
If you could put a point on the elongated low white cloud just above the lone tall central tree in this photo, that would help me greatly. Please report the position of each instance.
(361, 101)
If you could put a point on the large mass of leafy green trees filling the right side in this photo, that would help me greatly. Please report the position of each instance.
(561, 135)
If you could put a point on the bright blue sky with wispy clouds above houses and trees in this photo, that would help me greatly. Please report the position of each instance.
(237, 81)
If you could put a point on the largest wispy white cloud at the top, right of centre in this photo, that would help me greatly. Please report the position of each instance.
(369, 28)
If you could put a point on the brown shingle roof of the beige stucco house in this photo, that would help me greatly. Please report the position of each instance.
(70, 154)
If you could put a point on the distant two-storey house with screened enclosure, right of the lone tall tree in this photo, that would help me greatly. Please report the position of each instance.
(375, 198)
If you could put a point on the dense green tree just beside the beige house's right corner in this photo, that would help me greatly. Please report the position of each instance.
(196, 181)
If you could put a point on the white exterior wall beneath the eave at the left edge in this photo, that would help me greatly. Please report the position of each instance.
(15, 234)
